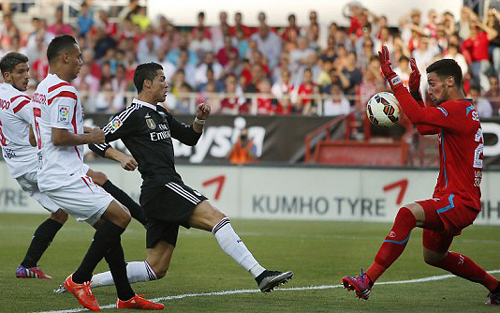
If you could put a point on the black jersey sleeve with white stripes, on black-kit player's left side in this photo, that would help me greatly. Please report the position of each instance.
(121, 125)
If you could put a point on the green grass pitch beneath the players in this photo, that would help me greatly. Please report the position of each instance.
(319, 253)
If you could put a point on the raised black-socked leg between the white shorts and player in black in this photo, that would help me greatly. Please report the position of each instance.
(135, 209)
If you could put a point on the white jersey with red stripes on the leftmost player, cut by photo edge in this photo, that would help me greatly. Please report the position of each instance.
(15, 118)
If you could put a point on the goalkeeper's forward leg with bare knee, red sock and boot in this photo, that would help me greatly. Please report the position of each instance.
(408, 217)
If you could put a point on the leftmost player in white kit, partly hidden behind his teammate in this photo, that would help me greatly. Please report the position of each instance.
(20, 154)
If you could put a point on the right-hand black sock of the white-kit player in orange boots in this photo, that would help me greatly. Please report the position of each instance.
(116, 260)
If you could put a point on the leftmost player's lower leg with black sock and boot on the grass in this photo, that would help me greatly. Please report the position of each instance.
(42, 238)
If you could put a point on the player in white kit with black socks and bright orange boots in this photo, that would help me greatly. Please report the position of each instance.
(62, 175)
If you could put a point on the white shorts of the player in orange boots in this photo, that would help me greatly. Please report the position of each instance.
(81, 198)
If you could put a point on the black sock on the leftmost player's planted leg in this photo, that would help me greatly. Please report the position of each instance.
(41, 240)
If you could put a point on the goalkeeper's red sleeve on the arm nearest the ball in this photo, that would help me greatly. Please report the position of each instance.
(443, 116)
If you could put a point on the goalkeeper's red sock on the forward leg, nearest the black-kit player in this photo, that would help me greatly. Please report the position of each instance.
(394, 244)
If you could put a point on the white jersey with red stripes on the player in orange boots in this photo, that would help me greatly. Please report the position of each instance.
(56, 104)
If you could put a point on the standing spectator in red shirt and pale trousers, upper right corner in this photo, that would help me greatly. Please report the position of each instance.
(475, 48)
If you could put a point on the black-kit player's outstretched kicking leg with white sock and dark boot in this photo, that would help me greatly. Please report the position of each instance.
(206, 217)
